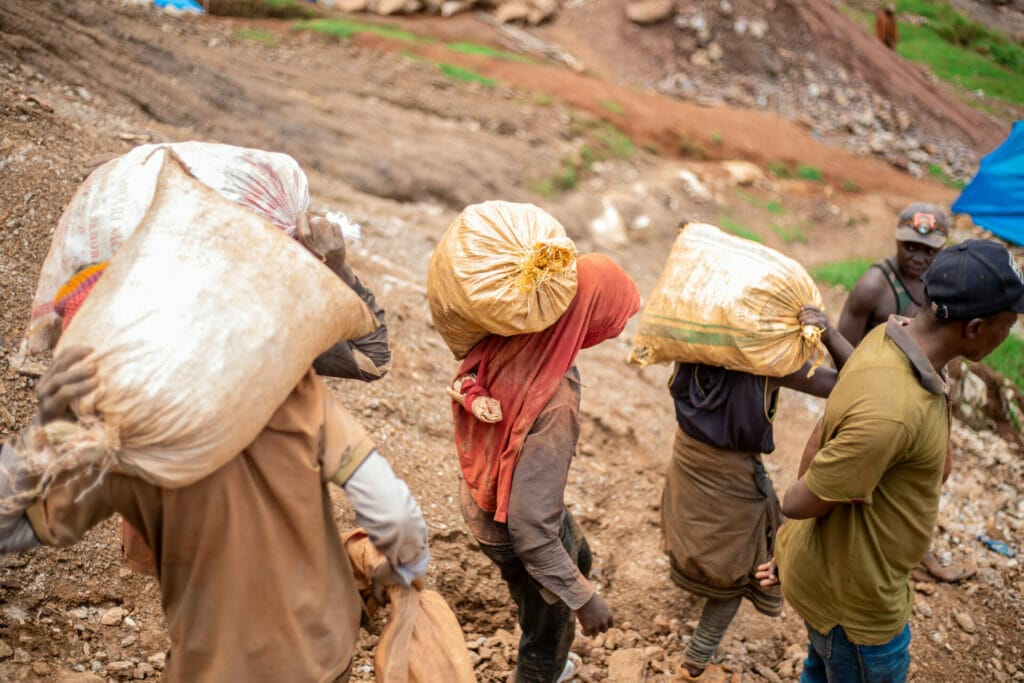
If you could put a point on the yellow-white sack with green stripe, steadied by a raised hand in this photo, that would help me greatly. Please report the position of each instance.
(727, 302)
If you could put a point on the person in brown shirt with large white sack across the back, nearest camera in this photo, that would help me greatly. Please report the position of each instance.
(198, 340)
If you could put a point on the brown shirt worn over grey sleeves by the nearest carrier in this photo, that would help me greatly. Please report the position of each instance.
(254, 580)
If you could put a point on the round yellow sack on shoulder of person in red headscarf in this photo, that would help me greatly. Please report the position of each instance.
(501, 269)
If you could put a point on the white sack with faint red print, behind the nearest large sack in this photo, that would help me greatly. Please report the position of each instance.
(109, 206)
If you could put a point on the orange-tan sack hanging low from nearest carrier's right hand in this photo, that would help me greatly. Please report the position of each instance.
(422, 643)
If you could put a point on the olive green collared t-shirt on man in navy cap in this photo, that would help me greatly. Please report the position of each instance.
(884, 446)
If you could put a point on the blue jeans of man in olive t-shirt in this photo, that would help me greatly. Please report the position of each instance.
(833, 659)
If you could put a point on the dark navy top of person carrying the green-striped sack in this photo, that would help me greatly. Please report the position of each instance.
(722, 408)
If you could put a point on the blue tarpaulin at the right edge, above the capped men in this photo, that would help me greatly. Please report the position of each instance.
(995, 199)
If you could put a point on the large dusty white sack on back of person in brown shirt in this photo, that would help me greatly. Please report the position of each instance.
(200, 333)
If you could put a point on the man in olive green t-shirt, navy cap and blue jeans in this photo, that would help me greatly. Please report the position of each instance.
(865, 511)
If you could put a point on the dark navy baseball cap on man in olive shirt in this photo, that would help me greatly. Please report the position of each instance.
(974, 279)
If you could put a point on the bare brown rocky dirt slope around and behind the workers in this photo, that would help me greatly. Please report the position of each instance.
(402, 149)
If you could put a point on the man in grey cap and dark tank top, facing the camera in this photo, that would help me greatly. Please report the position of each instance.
(893, 286)
